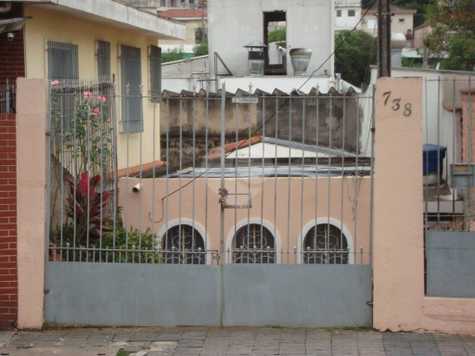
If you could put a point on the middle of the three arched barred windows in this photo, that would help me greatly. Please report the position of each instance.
(253, 243)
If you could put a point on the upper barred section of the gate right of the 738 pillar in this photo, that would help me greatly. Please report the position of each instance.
(448, 153)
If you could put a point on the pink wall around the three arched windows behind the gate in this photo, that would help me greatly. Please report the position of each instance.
(144, 210)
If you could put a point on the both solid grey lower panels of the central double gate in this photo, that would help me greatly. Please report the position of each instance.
(166, 295)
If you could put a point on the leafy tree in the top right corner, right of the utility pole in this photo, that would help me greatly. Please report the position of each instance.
(453, 33)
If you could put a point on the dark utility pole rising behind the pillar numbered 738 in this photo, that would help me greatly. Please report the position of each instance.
(384, 38)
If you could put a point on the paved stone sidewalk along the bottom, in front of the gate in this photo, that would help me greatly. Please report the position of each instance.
(230, 342)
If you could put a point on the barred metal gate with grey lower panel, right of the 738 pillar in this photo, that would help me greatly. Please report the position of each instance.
(448, 168)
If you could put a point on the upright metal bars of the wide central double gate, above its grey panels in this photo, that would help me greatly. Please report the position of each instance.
(209, 178)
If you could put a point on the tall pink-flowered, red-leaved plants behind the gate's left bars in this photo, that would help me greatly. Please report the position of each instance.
(82, 142)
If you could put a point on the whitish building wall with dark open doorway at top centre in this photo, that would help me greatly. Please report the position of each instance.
(308, 25)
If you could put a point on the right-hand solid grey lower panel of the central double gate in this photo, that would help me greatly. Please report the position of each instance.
(297, 295)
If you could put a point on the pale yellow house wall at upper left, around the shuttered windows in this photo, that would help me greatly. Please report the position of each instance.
(52, 25)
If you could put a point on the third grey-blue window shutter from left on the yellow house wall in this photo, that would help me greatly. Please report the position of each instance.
(131, 86)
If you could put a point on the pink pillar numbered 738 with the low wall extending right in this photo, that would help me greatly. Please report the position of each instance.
(399, 301)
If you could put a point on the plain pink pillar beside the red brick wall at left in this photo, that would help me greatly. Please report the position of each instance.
(31, 196)
